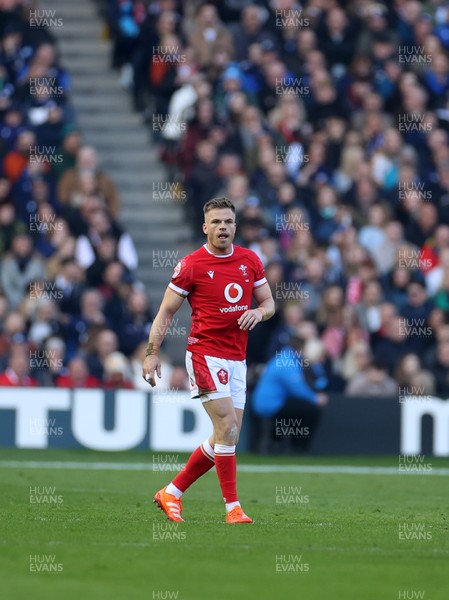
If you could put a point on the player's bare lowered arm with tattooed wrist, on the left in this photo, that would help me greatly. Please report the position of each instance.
(170, 304)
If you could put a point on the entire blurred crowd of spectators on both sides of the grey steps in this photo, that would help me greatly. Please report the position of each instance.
(326, 123)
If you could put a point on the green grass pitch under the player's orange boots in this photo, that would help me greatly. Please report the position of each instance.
(316, 536)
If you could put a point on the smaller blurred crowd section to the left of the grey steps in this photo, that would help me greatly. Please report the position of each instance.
(72, 312)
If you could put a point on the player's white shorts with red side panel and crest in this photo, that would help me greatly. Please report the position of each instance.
(212, 378)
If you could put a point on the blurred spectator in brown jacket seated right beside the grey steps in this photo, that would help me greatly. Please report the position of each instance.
(69, 184)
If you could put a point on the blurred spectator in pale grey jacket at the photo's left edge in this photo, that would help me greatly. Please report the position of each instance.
(19, 268)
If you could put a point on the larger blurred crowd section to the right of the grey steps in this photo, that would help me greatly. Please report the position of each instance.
(326, 123)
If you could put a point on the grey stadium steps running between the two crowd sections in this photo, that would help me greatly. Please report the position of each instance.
(123, 142)
